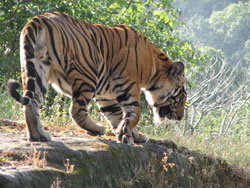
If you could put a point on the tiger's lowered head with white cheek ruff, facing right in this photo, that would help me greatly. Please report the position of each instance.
(166, 93)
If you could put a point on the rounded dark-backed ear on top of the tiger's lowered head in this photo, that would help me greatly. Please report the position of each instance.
(177, 71)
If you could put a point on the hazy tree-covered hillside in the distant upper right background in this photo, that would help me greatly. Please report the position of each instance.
(223, 25)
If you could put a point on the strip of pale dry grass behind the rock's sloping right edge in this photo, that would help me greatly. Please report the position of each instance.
(234, 148)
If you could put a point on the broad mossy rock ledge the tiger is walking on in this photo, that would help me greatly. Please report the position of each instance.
(101, 162)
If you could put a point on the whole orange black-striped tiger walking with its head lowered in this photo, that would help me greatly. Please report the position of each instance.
(85, 61)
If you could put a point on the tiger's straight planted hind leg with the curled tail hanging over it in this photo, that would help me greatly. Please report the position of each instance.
(35, 85)
